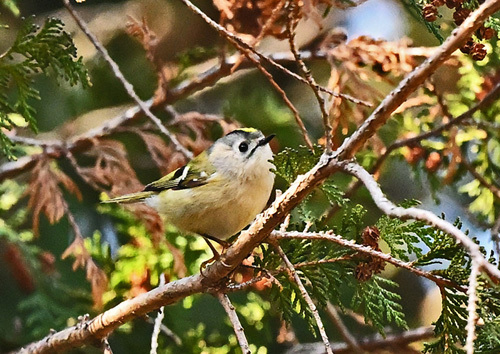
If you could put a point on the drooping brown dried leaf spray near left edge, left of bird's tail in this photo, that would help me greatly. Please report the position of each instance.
(45, 195)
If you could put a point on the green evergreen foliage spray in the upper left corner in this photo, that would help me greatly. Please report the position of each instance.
(48, 50)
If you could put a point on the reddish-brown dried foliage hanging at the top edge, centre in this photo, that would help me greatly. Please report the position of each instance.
(252, 16)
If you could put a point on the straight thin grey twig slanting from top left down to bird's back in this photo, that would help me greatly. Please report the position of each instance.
(127, 85)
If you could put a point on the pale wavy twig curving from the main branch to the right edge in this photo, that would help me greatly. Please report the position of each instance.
(391, 209)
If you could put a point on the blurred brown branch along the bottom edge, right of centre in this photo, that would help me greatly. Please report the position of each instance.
(372, 343)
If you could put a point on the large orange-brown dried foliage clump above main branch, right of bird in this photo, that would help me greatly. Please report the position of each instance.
(353, 65)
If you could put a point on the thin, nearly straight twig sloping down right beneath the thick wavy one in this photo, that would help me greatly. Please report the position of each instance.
(331, 237)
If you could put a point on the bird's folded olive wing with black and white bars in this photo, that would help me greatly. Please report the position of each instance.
(191, 175)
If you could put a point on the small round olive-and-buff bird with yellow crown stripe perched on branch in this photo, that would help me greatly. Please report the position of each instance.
(218, 192)
